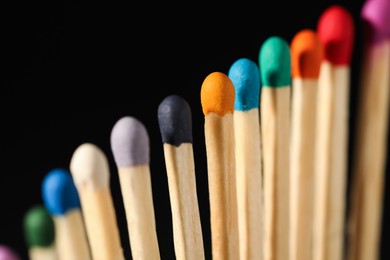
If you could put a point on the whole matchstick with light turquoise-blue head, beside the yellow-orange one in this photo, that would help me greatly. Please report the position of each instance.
(245, 76)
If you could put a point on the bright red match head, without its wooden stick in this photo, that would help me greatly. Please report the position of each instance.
(336, 31)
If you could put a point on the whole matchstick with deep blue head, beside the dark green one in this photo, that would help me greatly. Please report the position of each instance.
(62, 202)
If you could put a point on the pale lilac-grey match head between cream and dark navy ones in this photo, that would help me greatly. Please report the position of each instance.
(130, 142)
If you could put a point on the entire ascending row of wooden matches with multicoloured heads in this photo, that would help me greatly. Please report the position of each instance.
(276, 136)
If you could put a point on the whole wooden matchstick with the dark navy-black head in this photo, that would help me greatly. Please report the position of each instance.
(175, 122)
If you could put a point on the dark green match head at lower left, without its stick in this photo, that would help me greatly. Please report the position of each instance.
(39, 230)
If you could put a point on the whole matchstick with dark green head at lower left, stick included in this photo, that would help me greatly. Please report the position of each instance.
(39, 234)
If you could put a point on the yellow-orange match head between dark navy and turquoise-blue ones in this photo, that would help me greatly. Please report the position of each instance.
(217, 94)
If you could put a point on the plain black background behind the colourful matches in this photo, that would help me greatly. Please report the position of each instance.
(72, 69)
